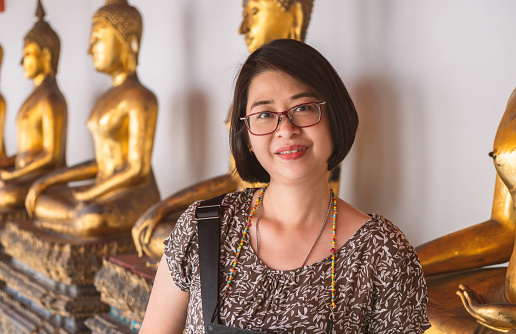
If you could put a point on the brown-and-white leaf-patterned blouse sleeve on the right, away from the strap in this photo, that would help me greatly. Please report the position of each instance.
(402, 298)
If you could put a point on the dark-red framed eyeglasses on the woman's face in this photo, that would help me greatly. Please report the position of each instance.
(266, 122)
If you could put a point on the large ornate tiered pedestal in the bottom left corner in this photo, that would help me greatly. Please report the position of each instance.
(48, 279)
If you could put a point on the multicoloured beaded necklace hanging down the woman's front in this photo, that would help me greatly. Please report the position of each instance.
(246, 231)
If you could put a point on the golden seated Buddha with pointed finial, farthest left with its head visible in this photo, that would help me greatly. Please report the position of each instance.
(41, 121)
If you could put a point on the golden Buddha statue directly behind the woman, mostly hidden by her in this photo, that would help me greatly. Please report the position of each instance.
(263, 21)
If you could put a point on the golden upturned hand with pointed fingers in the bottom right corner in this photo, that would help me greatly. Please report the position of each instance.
(501, 317)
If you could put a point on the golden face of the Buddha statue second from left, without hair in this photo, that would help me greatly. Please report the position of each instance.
(105, 48)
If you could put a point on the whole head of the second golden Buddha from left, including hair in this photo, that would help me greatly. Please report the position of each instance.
(115, 37)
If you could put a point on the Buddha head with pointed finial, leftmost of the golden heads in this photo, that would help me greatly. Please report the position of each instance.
(42, 48)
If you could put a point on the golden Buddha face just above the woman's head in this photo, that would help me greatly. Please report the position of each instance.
(265, 21)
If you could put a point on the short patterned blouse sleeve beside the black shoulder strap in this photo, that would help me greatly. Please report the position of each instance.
(181, 249)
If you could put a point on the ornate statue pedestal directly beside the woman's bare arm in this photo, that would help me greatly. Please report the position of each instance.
(125, 284)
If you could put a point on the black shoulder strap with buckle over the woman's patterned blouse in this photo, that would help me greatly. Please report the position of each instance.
(208, 216)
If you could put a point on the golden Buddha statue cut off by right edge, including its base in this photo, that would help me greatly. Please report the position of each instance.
(448, 262)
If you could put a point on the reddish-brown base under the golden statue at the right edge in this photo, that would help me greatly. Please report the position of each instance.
(445, 309)
